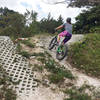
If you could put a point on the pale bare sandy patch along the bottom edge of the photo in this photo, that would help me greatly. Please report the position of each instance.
(43, 93)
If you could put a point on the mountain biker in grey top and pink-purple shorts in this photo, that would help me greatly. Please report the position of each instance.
(67, 33)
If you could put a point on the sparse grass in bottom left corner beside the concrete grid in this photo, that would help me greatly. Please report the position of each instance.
(6, 84)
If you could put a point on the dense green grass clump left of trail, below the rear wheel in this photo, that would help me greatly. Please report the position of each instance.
(57, 72)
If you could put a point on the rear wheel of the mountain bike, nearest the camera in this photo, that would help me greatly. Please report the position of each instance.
(61, 52)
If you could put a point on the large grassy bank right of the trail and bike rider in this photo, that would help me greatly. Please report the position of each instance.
(86, 55)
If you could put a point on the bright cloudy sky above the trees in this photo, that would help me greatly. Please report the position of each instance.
(41, 8)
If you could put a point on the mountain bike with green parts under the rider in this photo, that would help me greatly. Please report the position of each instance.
(62, 49)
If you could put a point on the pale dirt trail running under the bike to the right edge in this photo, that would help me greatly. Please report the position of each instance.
(81, 78)
